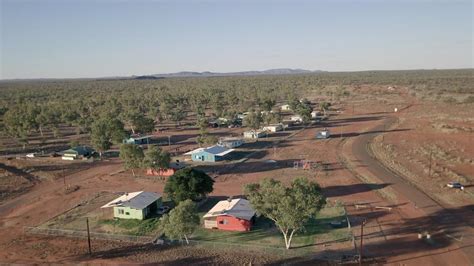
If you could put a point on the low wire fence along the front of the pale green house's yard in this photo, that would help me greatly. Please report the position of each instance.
(83, 234)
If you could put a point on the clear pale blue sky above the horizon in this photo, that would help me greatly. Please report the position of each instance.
(102, 38)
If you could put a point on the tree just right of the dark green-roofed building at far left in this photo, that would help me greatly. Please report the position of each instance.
(105, 132)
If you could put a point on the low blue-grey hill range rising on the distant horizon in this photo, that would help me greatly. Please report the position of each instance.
(278, 71)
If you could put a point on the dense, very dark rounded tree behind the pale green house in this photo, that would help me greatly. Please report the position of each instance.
(188, 183)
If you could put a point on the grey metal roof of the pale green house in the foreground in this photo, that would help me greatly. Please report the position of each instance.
(136, 200)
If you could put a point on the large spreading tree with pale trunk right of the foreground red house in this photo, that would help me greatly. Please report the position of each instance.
(289, 207)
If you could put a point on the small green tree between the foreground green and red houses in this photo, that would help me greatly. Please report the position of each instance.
(181, 221)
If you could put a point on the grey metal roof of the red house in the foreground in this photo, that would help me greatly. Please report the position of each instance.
(239, 208)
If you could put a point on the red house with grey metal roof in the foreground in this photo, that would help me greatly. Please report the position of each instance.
(231, 215)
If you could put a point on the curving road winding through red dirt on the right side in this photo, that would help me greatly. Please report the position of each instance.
(451, 221)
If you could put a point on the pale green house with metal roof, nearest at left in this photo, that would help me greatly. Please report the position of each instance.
(135, 205)
